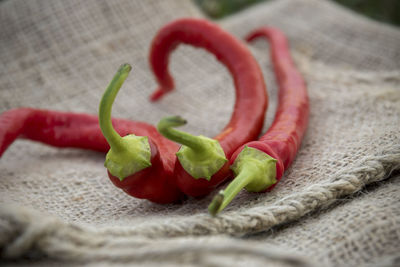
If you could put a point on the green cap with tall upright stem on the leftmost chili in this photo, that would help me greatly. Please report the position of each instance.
(129, 154)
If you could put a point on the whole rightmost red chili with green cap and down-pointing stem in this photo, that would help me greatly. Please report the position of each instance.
(259, 165)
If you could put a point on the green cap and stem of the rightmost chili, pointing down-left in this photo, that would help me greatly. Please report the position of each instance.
(254, 170)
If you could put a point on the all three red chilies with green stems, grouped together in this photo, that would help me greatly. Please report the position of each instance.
(146, 162)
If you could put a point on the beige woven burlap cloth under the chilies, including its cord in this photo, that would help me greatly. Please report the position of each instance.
(337, 205)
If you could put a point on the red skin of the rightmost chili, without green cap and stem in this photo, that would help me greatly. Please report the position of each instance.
(283, 138)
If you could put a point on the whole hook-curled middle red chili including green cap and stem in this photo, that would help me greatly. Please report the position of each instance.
(199, 170)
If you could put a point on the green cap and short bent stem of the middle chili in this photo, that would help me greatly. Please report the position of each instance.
(200, 156)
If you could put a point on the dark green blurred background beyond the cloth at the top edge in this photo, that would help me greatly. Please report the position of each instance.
(387, 11)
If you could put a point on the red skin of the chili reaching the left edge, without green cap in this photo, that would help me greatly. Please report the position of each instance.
(78, 130)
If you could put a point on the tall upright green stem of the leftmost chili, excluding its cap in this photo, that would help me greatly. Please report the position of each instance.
(113, 138)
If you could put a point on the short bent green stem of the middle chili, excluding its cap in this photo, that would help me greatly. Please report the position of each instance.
(165, 127)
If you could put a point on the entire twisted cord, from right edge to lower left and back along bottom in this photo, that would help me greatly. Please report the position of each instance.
(23, 230)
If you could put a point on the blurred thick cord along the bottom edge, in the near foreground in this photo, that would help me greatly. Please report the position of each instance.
(68, 242)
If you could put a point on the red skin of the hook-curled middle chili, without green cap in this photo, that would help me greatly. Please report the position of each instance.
(251, 96)
